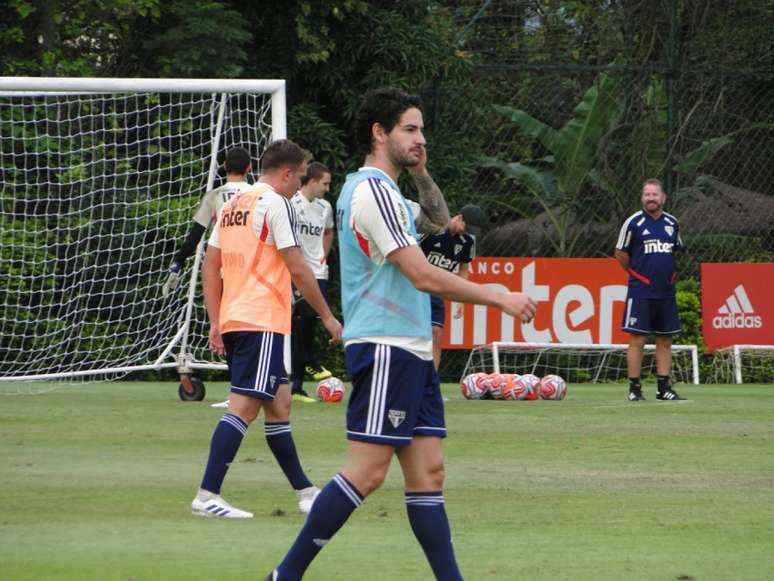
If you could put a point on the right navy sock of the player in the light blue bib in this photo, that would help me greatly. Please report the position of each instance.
(427, 515)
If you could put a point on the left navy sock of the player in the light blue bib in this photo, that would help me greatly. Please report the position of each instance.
(330, 511)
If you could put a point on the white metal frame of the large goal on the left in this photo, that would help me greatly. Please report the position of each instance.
(183, 359)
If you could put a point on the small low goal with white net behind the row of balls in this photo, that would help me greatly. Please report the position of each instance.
(577, 363)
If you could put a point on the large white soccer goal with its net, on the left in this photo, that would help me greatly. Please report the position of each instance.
(100, 179)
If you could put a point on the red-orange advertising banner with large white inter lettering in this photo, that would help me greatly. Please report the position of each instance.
(580, 300)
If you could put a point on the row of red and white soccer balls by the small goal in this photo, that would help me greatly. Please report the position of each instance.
(511, 386)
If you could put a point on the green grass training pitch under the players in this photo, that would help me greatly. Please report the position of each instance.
(97, 480)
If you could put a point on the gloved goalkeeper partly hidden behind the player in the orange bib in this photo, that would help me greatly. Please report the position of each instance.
(237, 167)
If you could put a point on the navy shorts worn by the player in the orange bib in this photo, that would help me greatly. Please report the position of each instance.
(255, 362)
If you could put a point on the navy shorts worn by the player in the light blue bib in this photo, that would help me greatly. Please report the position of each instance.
(395, 396)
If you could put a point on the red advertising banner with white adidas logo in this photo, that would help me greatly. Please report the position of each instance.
(736, 304)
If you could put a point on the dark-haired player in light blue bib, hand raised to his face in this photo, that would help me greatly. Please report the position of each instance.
(396, 406)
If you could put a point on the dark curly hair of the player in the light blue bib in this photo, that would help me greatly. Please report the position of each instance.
(383, 106)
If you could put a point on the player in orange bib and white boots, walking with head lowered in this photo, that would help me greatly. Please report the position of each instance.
(255, 247)
